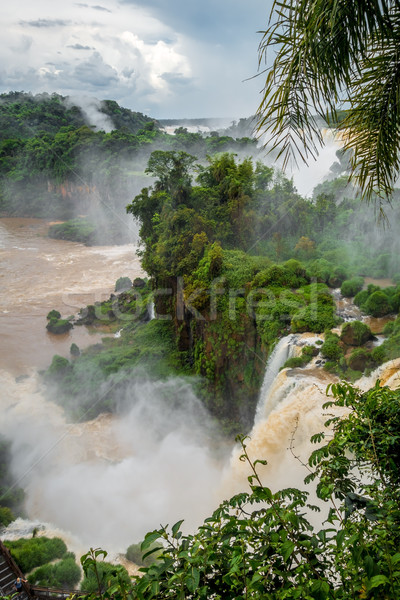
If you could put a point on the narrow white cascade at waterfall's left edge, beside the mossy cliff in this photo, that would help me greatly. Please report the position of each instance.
(283, 350)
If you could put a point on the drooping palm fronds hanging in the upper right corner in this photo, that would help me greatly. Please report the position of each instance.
(334, 54)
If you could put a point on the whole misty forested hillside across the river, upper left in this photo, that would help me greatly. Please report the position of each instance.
(62, 161)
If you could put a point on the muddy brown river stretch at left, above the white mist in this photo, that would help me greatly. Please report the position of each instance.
(38, 274)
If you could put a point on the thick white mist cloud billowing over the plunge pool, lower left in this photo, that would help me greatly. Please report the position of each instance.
(109, 481)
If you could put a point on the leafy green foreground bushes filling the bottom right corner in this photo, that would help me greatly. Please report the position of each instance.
(262, 544)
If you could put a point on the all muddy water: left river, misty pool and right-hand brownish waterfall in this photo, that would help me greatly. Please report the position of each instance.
(109, 481)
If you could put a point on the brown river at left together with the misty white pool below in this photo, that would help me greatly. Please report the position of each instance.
(108, 481)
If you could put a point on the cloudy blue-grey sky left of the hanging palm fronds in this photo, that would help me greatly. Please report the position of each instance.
(165, 58)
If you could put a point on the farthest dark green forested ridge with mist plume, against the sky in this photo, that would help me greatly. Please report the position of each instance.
(24, 115)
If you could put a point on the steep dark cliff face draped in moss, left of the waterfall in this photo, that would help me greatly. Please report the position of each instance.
(228, 353)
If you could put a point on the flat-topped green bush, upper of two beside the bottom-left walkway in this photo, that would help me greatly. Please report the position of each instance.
(35, 552)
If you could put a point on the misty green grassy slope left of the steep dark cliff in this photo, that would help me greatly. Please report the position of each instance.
(94, 380)
